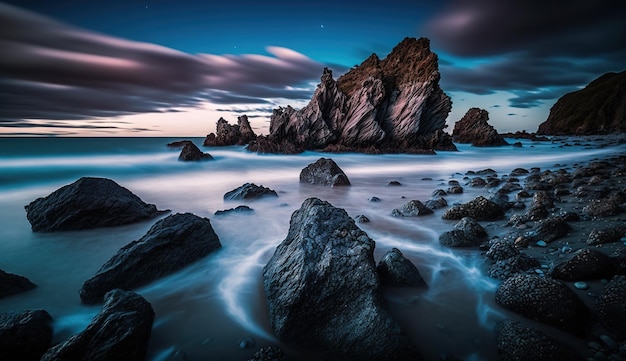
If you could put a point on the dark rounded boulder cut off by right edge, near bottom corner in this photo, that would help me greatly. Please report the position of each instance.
(611, 306)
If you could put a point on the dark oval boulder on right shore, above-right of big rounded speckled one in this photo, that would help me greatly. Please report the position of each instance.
(585, 264)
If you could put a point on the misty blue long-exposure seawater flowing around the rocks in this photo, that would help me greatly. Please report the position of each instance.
(205, 310)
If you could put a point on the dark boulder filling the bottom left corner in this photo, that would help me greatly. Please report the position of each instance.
(25, 335)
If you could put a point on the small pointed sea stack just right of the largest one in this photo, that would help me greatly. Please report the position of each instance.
(474, 128)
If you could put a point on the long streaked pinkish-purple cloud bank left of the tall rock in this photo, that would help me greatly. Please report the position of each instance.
(49, 70)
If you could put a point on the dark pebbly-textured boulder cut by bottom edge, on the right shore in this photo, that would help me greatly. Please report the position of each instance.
(517, 342)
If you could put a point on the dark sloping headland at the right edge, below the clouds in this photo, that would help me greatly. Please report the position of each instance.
(599, 108)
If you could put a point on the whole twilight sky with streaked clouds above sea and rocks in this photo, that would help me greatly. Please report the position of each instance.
(174, 67)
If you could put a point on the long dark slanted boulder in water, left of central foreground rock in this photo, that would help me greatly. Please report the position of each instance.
(171, 244)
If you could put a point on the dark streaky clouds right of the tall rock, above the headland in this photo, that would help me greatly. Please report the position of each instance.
(523, 46)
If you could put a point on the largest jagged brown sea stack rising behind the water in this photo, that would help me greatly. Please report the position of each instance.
(390, 105)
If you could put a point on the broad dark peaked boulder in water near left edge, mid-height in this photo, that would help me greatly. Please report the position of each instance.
(88, 203)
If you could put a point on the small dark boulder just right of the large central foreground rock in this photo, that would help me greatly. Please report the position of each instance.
(397, 271)
